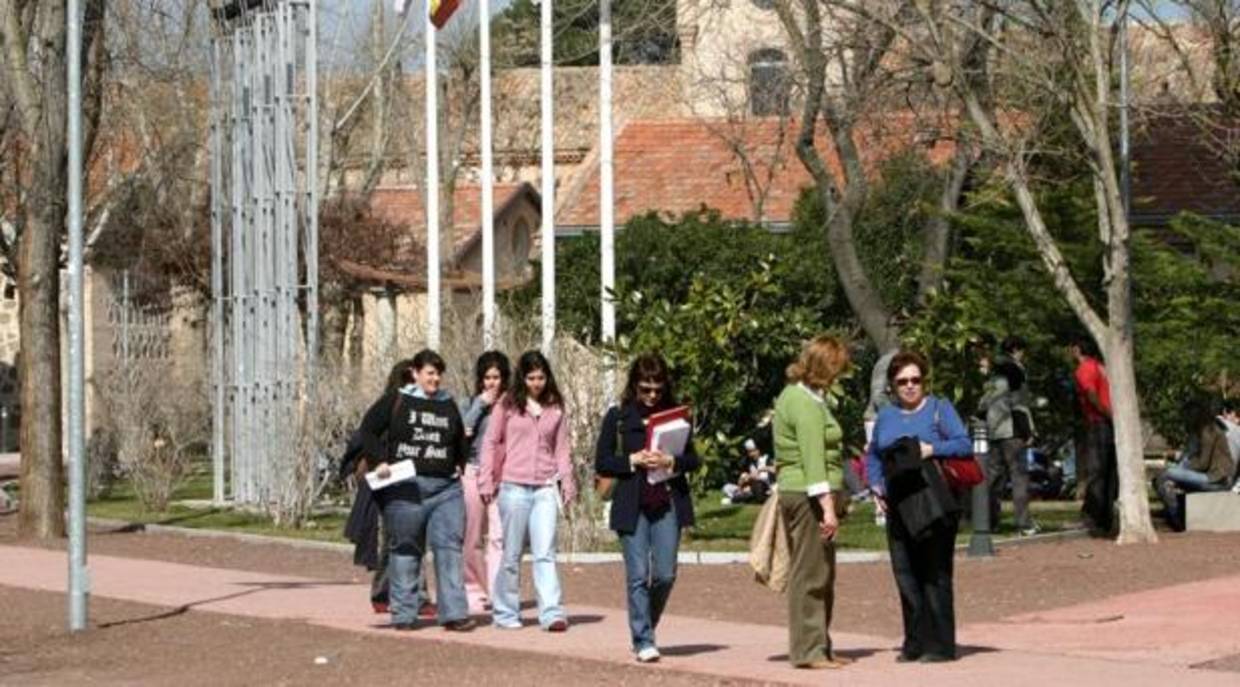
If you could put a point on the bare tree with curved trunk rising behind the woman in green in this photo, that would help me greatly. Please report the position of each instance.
(851, 71)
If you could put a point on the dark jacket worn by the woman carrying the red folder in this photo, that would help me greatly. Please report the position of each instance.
(612, 461)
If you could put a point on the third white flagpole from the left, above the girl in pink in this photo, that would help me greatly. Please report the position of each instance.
(549, 185)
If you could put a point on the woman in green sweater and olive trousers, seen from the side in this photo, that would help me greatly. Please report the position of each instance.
(810, 477)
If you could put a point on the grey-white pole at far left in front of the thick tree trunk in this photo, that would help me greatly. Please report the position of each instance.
(77, 379)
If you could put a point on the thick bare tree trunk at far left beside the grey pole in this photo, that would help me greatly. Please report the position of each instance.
(33, 43)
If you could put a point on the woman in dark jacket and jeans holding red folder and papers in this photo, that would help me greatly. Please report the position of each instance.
(647, 516)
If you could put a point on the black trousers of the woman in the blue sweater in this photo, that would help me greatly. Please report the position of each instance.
(923, 572)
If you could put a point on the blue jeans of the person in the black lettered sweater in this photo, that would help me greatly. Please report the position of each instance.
(438, 515)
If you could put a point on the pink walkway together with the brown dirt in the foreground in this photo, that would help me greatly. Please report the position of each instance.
(265, 628)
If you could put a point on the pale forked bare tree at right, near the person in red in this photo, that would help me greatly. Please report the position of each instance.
(1032, 65)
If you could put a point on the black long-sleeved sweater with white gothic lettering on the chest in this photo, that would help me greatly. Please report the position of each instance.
(430, 431)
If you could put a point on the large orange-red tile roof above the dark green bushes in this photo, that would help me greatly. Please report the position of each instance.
(678, 167)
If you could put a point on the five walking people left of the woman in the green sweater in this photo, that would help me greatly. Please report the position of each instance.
(495, 473)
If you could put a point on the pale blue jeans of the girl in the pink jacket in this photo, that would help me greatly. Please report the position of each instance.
(535, 510)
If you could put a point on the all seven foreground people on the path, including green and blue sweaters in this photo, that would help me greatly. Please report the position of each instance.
(495, 472)
